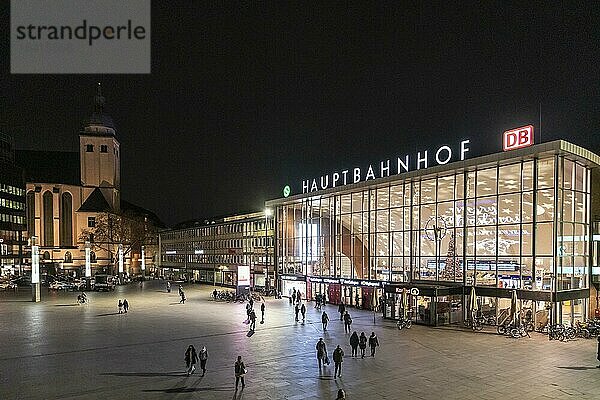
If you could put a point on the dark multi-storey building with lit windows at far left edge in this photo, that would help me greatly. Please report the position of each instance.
(12, 209)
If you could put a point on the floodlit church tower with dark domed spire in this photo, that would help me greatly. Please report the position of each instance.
(100, 153)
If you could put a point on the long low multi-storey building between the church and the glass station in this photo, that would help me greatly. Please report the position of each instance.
(212, 251)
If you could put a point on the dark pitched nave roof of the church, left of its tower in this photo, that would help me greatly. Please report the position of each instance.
(49, 166)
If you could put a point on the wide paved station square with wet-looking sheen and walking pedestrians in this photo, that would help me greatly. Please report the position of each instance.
(58, 349)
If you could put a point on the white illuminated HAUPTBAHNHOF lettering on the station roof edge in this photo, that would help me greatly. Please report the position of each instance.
(443, 155)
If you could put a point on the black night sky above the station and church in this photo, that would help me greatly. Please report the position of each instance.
(244, 100)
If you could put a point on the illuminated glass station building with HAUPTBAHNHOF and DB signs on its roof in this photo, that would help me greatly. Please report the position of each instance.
(436, 224)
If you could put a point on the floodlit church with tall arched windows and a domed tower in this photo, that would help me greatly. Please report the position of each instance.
(69, 194)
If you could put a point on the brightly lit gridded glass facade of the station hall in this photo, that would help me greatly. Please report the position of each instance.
(512, 224)
